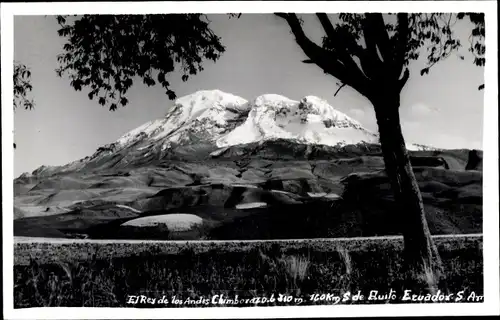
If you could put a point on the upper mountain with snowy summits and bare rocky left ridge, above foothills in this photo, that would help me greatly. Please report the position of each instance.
(212, 119)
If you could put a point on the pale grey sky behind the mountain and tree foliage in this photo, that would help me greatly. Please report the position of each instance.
(442, 109)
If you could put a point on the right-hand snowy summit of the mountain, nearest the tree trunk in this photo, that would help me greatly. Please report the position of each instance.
(311, 120)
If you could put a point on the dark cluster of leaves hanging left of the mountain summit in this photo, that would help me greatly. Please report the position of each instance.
(104, 53)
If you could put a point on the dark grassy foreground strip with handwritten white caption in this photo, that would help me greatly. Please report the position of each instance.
(167, 274)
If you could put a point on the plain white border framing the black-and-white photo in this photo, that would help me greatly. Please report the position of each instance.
(490, 161)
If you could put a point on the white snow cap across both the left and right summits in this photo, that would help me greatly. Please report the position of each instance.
(224, 119)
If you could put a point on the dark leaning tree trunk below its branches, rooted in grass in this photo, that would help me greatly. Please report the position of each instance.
(420, 254)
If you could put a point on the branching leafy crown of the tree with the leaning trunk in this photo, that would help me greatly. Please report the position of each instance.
(366, 50)
